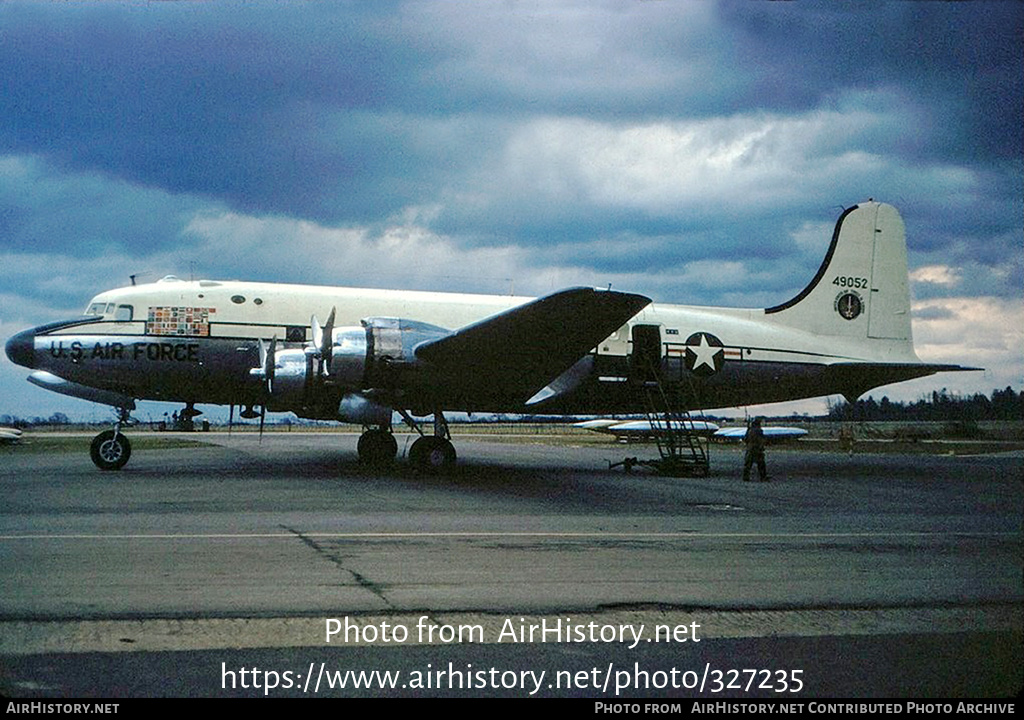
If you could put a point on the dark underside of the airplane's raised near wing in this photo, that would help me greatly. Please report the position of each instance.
(518, 353)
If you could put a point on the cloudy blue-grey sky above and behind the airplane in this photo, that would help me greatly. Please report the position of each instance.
(696, 152)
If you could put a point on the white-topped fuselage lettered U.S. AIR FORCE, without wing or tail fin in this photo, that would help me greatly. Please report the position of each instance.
(198, 342)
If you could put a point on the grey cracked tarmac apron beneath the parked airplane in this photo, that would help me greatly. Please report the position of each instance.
(879, 575)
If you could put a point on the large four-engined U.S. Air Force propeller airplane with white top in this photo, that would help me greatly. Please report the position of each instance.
(577, 352)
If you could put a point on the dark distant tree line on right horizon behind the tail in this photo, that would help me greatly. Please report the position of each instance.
(942, 406)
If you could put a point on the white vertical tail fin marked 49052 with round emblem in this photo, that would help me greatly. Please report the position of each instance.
(862, 289)
